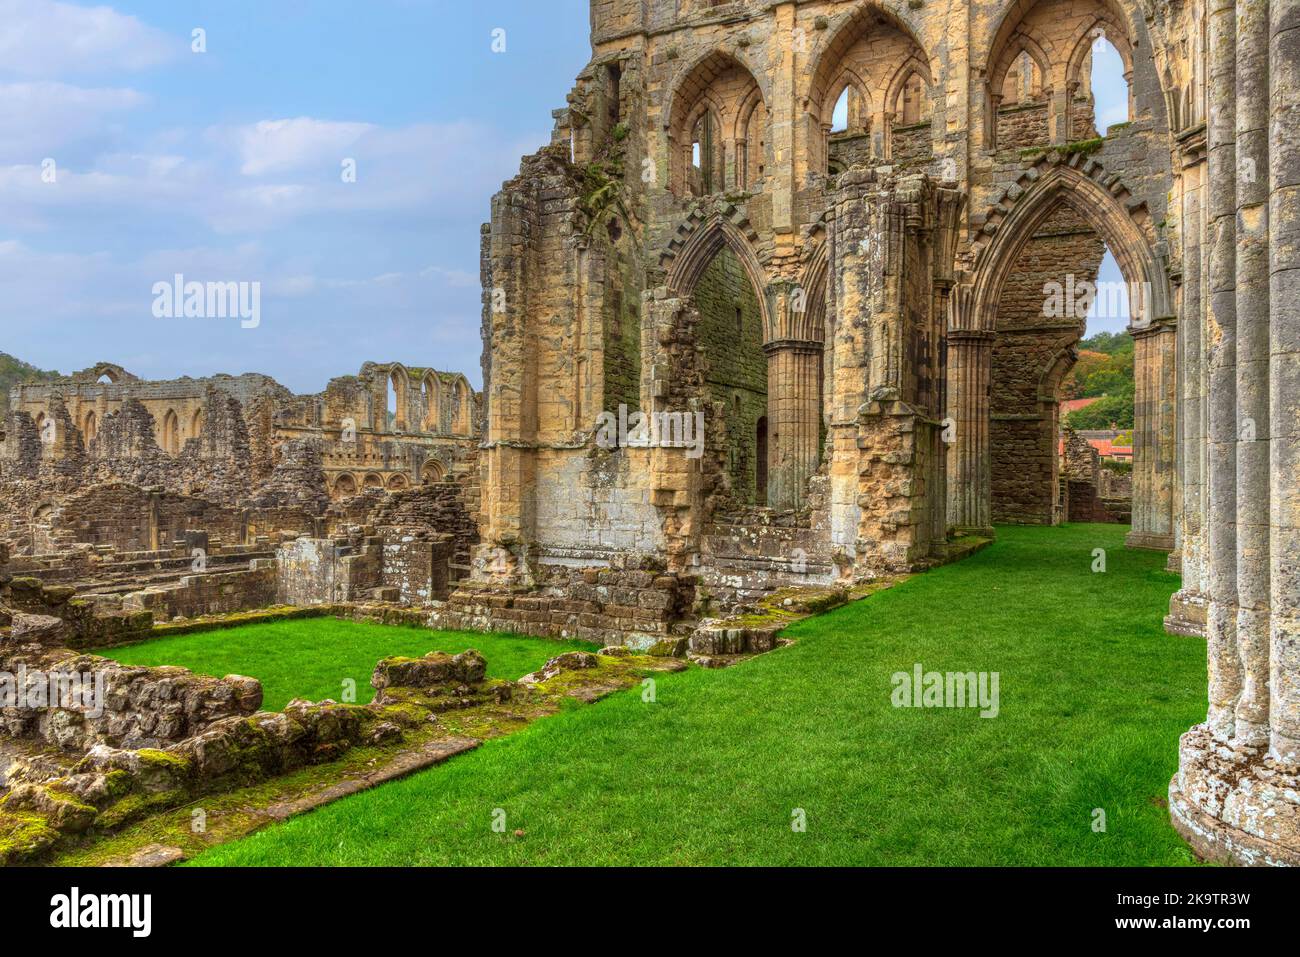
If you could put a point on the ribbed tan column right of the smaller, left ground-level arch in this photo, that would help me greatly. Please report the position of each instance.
(794, 419)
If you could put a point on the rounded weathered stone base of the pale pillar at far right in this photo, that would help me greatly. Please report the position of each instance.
(1236, 807)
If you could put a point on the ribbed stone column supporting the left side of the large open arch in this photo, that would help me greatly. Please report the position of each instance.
(970, 354)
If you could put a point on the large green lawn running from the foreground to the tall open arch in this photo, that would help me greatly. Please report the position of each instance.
(1094, 698)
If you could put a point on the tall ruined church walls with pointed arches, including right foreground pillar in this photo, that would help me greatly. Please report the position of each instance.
(834, 244)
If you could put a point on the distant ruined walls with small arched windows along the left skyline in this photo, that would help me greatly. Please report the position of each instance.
(132, 465)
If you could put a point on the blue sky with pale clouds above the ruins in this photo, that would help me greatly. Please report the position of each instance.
(127, 158)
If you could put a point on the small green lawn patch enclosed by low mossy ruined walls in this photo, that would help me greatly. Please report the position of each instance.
(313, 657)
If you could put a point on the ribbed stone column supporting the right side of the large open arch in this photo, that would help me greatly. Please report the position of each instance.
(1154, 436)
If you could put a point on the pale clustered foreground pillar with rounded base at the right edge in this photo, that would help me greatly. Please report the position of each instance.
(1237, 794)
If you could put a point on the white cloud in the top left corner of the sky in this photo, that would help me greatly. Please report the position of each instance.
(42, 38)
